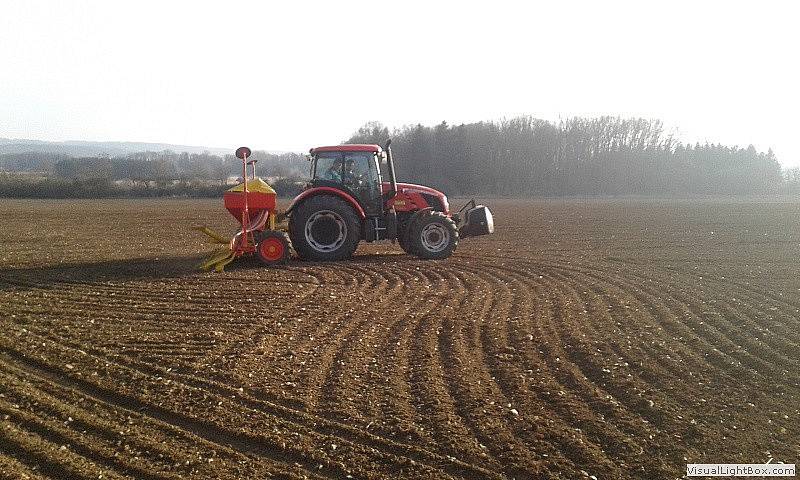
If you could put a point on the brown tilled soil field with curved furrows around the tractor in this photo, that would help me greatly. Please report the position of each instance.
(613, 339)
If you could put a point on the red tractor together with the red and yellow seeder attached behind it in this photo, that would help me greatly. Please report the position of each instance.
(352, 196)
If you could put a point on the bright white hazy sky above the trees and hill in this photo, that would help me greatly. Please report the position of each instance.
(291, 75)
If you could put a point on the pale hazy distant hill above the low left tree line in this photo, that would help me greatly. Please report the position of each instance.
(78, 148)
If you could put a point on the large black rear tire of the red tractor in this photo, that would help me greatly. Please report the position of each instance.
(324, 227)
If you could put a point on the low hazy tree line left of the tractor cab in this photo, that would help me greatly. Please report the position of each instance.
(148, 174)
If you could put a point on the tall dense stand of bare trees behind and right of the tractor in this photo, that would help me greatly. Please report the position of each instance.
(580, 156)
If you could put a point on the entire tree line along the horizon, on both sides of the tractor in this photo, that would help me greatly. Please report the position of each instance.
(522, 156)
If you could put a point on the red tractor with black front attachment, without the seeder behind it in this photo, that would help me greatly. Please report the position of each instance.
(353, 196)
